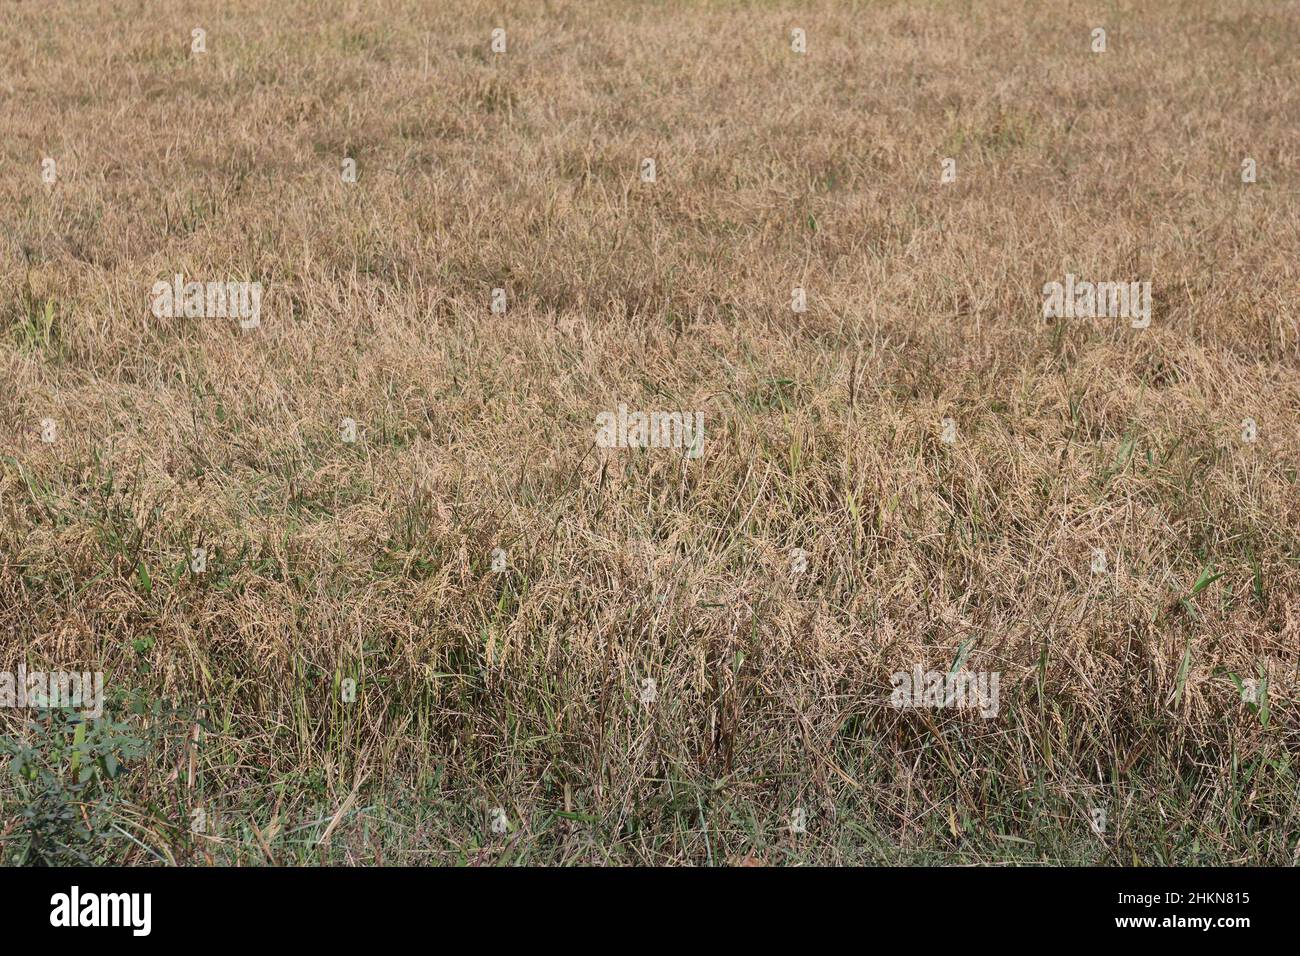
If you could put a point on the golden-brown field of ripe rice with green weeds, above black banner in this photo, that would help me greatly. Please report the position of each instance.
(522, 690)
